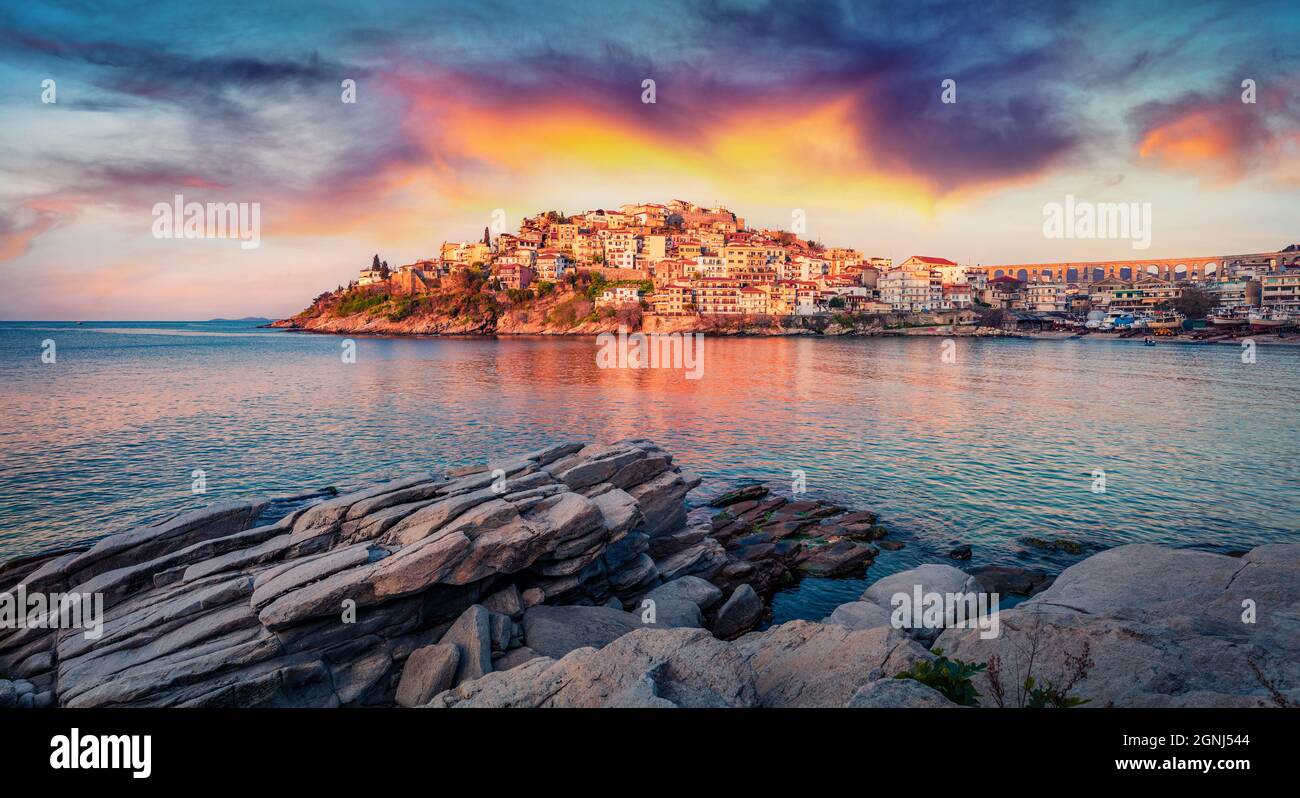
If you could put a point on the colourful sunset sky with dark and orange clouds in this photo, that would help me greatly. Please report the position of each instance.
(830, 109)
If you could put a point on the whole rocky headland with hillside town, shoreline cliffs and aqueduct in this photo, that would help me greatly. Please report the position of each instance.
(684, 267)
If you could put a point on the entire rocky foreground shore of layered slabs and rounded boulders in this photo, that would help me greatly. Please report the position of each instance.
(575, 576)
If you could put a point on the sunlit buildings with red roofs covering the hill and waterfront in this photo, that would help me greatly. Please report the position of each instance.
(705, 261)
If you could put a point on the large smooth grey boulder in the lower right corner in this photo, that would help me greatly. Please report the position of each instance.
(1146, 626)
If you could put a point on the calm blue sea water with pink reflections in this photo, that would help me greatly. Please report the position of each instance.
(1198, 448)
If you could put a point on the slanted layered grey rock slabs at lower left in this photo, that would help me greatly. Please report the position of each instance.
(324, 606)
